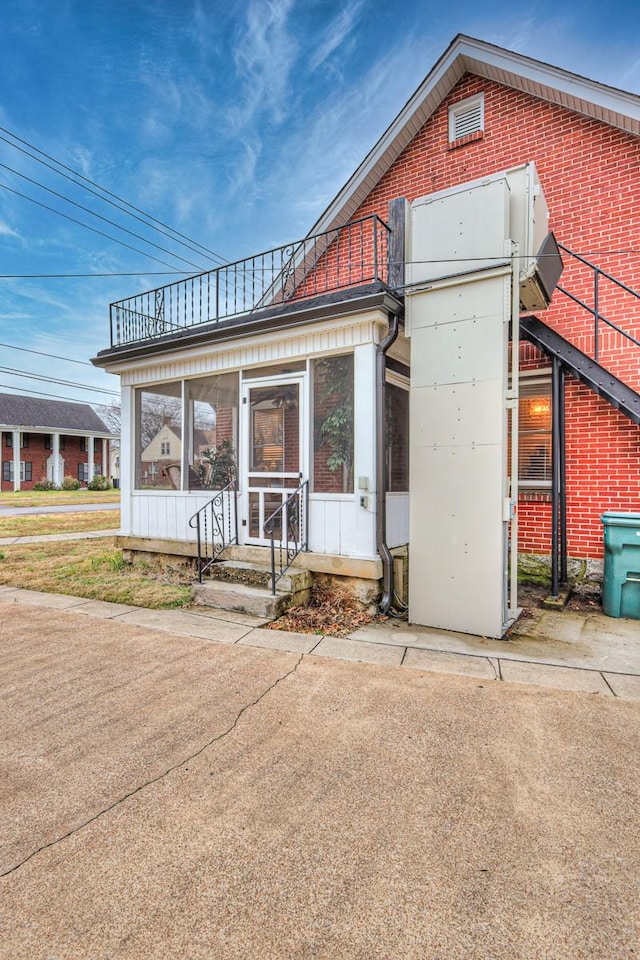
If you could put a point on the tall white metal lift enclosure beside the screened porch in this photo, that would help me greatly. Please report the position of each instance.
(460, 303)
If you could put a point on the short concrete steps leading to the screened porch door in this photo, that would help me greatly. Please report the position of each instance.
(245, 587)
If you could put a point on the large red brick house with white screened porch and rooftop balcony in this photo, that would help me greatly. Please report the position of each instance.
(313, 370)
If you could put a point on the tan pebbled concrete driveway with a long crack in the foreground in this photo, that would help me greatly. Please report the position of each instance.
(166, 796)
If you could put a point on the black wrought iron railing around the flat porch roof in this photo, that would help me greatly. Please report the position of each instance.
(343, 257)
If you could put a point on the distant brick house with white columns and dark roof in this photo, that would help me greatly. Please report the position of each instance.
(48, 440)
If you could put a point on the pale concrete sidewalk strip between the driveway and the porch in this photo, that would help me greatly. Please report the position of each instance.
(567, 651)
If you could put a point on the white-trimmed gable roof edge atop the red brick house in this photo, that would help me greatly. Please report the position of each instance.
(466, 55)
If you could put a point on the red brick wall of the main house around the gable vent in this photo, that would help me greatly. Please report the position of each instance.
(590, 174)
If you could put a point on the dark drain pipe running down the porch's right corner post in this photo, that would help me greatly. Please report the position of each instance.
(381, 498)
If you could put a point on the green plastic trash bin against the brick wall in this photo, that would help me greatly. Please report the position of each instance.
(621, 583)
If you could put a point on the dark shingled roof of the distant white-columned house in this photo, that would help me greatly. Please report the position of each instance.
(32, 412)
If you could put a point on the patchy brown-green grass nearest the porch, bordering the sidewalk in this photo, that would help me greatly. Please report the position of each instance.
(95, 569)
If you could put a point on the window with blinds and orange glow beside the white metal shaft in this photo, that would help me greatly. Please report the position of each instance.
(535, 432)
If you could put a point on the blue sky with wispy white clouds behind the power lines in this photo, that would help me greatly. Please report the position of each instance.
(235, 123)
